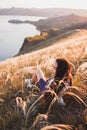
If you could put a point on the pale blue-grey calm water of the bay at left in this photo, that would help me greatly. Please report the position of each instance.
(12, 35)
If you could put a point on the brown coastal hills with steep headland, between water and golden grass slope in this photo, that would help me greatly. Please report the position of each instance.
(58, 30)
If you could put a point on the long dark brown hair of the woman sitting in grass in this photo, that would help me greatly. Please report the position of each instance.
(63, 69)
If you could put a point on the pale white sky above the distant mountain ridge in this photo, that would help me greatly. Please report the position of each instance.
(76, 4)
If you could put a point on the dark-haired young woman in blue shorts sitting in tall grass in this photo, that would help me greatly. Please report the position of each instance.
(61, 71)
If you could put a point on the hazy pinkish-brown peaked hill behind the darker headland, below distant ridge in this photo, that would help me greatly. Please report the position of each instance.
(58, 22)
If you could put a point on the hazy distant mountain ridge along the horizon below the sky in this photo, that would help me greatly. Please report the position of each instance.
(47, 12)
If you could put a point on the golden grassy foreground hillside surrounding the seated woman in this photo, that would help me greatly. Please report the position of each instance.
(14, 71)
